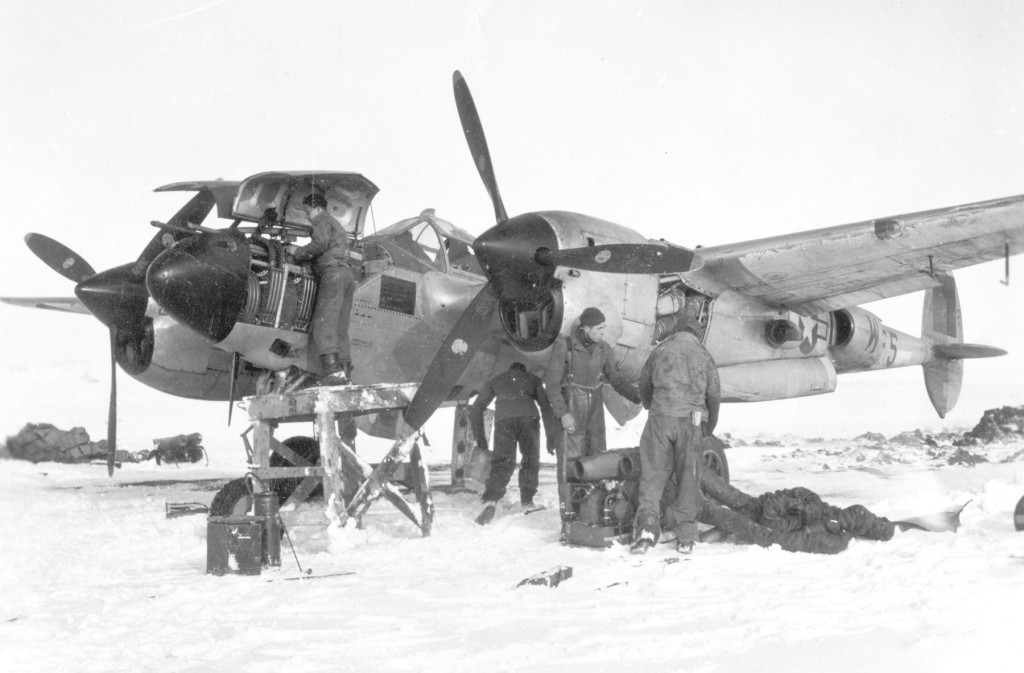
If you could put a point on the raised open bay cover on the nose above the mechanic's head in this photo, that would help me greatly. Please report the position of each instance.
(349, 197)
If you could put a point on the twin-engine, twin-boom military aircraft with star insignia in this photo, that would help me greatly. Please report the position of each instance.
(217, 313)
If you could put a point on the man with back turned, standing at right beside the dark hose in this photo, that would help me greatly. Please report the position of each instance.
(679, 387)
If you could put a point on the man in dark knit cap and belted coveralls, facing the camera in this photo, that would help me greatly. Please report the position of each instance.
(580, 364)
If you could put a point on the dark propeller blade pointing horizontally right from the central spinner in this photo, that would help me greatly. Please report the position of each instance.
(624, 259)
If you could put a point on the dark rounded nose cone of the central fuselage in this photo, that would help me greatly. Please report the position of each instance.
(202, 282)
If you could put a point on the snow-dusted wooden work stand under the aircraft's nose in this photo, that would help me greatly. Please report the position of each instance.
(351, 484)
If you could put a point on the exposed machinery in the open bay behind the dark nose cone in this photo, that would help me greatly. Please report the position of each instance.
(280, 296)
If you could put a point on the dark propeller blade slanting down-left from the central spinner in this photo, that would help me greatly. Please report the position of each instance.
(453, 358)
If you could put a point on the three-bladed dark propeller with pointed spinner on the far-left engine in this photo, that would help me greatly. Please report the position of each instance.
(118, 299)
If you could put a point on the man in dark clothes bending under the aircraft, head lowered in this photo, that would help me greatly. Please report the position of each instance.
(518, 395)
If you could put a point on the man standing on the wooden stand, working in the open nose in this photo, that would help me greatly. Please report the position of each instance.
(328, 249)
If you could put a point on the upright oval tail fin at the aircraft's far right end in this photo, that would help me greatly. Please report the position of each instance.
(943, 325)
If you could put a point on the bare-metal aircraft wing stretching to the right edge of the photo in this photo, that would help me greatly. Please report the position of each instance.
(830, 269)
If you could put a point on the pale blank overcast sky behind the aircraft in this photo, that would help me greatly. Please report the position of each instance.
(700, 122)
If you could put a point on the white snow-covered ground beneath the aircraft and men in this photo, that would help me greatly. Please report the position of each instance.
(96, 578)
